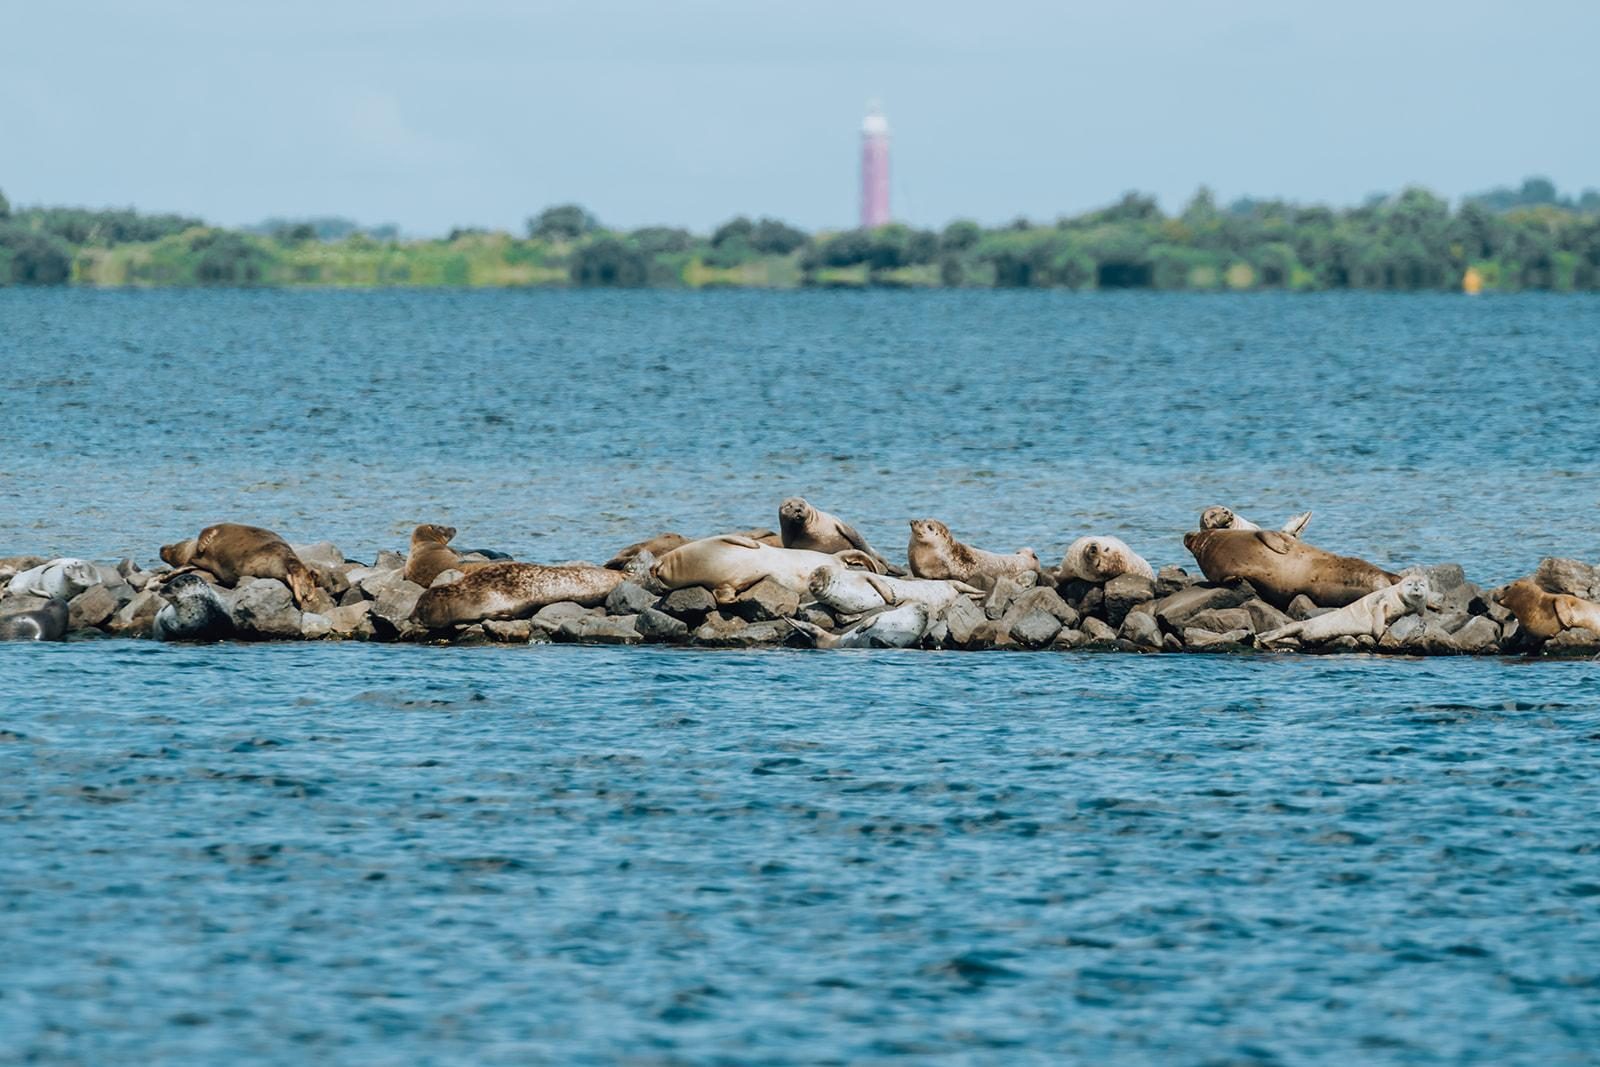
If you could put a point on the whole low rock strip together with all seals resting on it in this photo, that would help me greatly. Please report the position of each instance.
(815, 585)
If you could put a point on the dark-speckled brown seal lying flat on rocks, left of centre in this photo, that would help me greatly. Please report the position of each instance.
(513, 591)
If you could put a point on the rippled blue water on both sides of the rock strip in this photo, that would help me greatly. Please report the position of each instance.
(388, 855)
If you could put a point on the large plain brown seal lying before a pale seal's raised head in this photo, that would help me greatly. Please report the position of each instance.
(1281, 569)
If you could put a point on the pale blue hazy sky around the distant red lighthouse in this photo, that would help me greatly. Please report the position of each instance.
(689, 113)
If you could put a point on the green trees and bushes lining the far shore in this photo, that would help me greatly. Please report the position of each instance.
(1503, 241)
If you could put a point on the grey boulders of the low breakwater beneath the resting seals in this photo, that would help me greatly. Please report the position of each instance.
(1172, 613)
